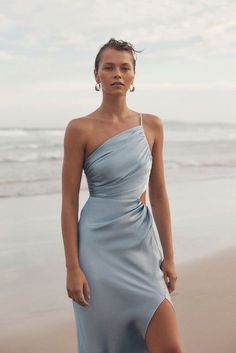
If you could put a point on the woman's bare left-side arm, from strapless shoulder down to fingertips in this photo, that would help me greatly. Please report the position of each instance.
(72, 168)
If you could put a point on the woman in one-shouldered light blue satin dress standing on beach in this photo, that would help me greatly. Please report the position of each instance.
(116, 277)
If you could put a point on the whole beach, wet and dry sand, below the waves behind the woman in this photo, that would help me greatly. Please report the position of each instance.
(37, 315)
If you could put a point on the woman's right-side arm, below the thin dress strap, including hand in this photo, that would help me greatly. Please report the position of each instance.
(159, 201)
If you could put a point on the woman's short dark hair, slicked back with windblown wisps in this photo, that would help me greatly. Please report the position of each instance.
(118, 45)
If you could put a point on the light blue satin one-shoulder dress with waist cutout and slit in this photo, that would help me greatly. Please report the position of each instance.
(118, 249)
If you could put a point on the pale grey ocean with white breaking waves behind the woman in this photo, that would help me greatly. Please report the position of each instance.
(31, 159)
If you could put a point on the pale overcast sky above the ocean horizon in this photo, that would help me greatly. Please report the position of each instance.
(186, 72)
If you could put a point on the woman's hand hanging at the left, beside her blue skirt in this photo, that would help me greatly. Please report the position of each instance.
(77, 286)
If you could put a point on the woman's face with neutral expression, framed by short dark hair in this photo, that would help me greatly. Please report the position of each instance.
(115, 66)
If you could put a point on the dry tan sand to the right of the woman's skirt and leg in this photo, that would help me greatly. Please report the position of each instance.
(205, 301)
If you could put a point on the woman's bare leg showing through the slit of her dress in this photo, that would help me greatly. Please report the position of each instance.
(162, 334)
